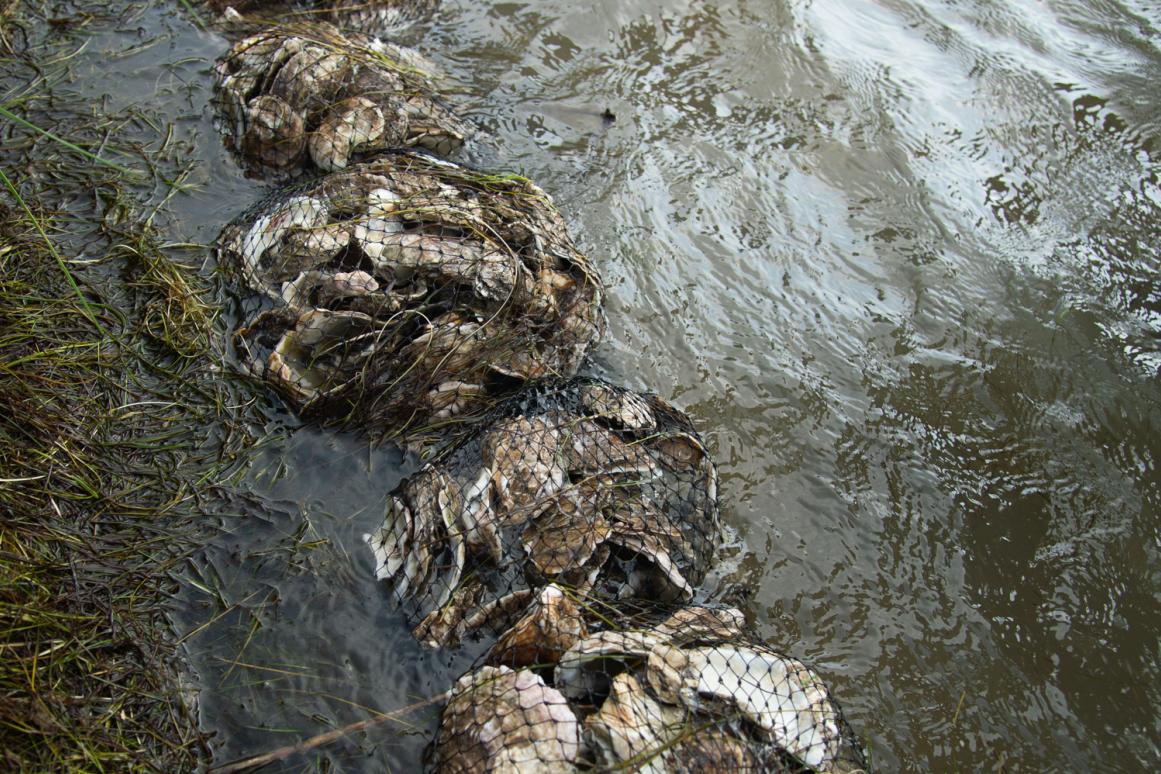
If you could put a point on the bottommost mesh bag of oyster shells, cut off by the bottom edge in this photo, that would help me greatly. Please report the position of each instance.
(693, 692)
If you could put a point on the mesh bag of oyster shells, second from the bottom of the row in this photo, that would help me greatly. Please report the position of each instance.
(578, 502)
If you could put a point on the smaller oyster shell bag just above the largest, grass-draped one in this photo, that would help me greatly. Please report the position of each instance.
(308, 96)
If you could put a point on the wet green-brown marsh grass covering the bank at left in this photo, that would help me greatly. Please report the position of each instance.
(116, 422)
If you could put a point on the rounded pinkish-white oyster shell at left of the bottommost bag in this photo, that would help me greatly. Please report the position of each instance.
(500, 720)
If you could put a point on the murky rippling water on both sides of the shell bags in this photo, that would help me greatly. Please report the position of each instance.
(899, 262)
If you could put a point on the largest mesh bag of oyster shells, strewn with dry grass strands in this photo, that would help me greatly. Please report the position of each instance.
(405, 295)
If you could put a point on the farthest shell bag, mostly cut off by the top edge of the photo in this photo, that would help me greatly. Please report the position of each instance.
(370, 17)
